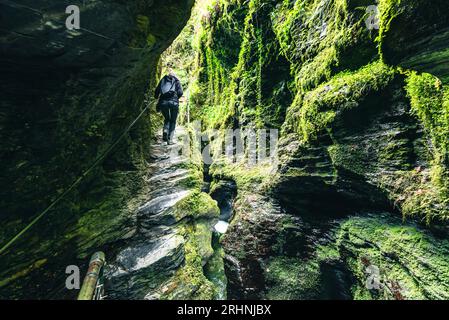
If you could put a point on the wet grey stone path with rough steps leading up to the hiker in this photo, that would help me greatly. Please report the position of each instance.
(173, 223)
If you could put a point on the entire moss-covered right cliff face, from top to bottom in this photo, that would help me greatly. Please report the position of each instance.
(364, 140)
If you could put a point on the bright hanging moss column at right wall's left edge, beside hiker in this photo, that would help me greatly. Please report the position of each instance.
(208, 85)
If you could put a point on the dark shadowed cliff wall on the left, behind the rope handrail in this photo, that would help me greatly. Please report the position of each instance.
(66, 97)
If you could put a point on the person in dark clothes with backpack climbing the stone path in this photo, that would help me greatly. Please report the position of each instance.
(169, 90)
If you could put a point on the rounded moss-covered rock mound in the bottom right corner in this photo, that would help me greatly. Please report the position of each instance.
(413, 265)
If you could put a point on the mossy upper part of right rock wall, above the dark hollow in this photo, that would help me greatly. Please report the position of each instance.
(342, 76)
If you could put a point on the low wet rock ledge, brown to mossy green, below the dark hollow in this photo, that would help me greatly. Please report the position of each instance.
(280, 255)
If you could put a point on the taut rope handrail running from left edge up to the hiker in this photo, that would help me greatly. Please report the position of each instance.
(76, 182)
